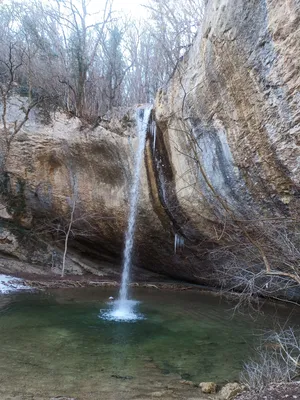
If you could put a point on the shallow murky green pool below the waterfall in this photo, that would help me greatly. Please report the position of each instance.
(56, 344)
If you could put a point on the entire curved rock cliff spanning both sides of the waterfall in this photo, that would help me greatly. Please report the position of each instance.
(223, 165)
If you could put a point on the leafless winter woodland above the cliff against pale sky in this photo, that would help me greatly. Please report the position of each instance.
(87, 62)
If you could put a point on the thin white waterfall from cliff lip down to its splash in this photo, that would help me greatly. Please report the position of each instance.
(123, 307)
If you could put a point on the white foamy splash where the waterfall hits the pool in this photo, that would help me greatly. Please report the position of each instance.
(122, 311)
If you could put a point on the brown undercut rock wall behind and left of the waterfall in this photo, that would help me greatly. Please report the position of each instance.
(49, 168)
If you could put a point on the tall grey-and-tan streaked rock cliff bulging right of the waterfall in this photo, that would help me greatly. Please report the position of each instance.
(229, 118)
